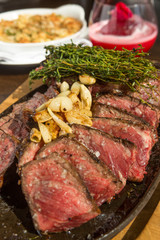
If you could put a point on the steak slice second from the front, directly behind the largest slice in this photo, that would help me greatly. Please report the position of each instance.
(101, 183)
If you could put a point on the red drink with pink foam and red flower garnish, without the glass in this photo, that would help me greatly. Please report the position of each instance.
(123, 29)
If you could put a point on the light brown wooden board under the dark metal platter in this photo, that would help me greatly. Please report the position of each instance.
(151, 230)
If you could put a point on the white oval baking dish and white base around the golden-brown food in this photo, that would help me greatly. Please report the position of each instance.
(31, 53)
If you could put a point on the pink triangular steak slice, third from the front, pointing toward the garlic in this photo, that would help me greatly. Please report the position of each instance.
(117, 154)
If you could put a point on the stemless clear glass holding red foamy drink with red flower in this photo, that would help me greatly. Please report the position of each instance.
(123, 24)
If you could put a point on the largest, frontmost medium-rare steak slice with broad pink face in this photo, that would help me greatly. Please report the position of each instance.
(57, 198)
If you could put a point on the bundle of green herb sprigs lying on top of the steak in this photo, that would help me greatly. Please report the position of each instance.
(131, 68)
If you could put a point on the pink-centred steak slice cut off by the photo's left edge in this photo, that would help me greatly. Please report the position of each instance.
(7, 151)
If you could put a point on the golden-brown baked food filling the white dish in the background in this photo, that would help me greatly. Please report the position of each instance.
(38, 28)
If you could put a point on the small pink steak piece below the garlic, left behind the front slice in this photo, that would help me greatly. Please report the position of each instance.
(29, 153)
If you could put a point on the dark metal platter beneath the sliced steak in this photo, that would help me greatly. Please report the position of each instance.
(16, 222)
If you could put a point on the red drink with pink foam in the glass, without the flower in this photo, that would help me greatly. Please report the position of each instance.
(146, 37)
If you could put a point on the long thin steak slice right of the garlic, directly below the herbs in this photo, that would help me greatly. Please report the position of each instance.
(133, 106)
